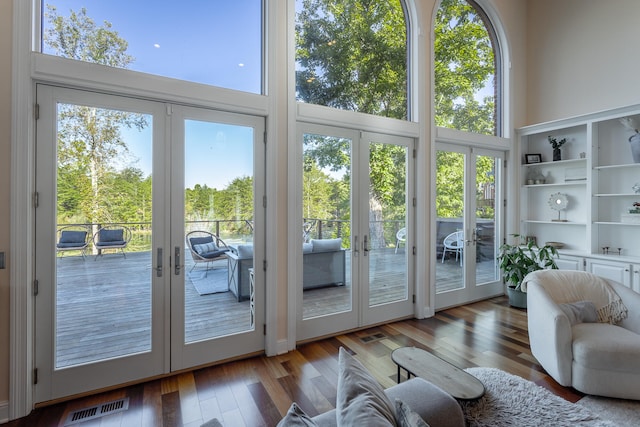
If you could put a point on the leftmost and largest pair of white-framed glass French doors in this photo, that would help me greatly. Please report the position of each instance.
(128, 179)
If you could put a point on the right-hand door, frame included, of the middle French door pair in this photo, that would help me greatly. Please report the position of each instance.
(388, 244)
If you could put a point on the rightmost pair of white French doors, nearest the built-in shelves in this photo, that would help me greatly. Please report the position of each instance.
(468, 224)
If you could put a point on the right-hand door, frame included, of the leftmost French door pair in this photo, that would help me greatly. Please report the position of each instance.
(217, 302)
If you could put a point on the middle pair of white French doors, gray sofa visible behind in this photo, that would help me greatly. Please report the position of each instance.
(355, 263)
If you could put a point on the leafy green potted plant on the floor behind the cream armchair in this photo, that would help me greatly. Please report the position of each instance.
(516, 261)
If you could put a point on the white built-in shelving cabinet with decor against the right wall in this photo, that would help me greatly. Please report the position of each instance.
(600, 178)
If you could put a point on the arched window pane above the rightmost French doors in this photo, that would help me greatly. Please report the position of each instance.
(467, 95)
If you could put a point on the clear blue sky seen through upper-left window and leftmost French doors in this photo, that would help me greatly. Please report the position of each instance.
(216, 42)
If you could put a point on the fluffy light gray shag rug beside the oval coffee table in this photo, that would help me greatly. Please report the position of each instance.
(513, 401)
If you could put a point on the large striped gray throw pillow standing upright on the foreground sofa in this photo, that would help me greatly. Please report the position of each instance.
(360, 400)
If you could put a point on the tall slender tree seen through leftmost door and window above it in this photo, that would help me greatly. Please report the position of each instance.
(89, 138)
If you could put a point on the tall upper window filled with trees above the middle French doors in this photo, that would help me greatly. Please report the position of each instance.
(352, 55)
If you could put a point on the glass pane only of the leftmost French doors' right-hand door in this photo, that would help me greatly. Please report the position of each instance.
(218, 218)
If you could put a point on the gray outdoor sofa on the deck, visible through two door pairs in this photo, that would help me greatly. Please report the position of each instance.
(323, 265)
